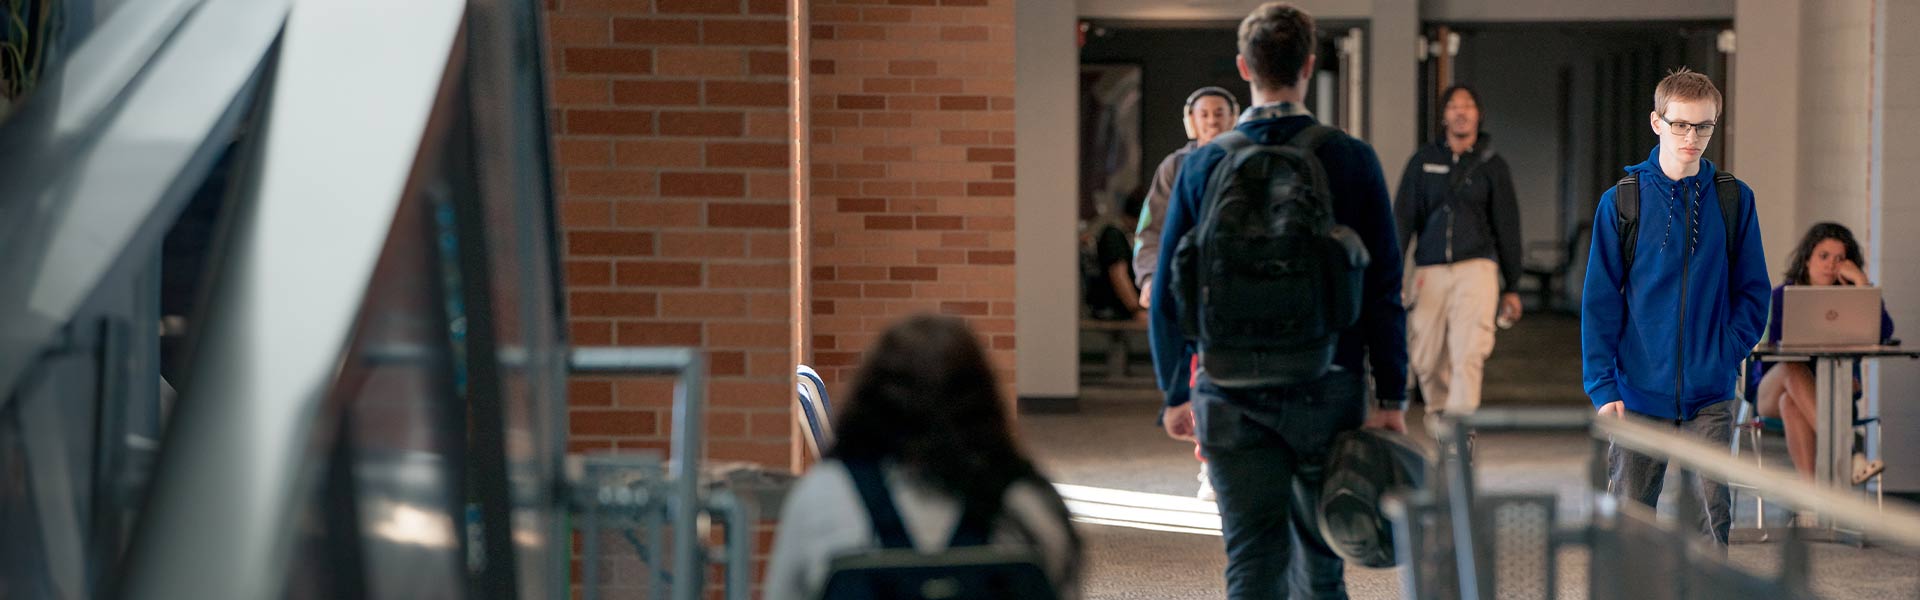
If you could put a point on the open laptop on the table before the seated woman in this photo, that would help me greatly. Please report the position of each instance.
(1829, 316)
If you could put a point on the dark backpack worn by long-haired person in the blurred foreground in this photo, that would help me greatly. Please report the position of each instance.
(967, 570)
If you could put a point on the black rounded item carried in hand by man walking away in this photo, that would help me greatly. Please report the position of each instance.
(1362, 466)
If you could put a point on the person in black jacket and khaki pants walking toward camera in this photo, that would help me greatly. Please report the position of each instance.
(1456, 209)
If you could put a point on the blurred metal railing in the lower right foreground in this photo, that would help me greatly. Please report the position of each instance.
(1452, 543)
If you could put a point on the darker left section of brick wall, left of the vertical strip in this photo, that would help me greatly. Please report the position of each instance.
(673, 168)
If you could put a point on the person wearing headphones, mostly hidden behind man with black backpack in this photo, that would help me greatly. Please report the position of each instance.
(1209, 114)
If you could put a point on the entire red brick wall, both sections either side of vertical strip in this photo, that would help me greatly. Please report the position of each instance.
(675, 180)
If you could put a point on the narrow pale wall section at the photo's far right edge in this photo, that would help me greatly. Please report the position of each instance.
(1896, 209)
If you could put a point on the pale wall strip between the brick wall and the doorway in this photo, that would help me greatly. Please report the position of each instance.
(1045, 189)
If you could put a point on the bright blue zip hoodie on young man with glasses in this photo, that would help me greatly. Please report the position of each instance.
(1681, 299)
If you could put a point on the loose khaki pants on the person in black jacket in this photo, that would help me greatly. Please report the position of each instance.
(1451, 332)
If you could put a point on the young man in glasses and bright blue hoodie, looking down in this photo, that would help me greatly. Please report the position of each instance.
(1675, 295)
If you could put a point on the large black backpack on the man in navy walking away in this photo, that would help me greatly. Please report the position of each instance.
(1266, 280)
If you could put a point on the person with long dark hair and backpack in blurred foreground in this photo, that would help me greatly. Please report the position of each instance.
(924, 487)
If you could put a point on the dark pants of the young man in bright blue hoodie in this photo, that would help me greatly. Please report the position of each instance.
(1639, 478)
